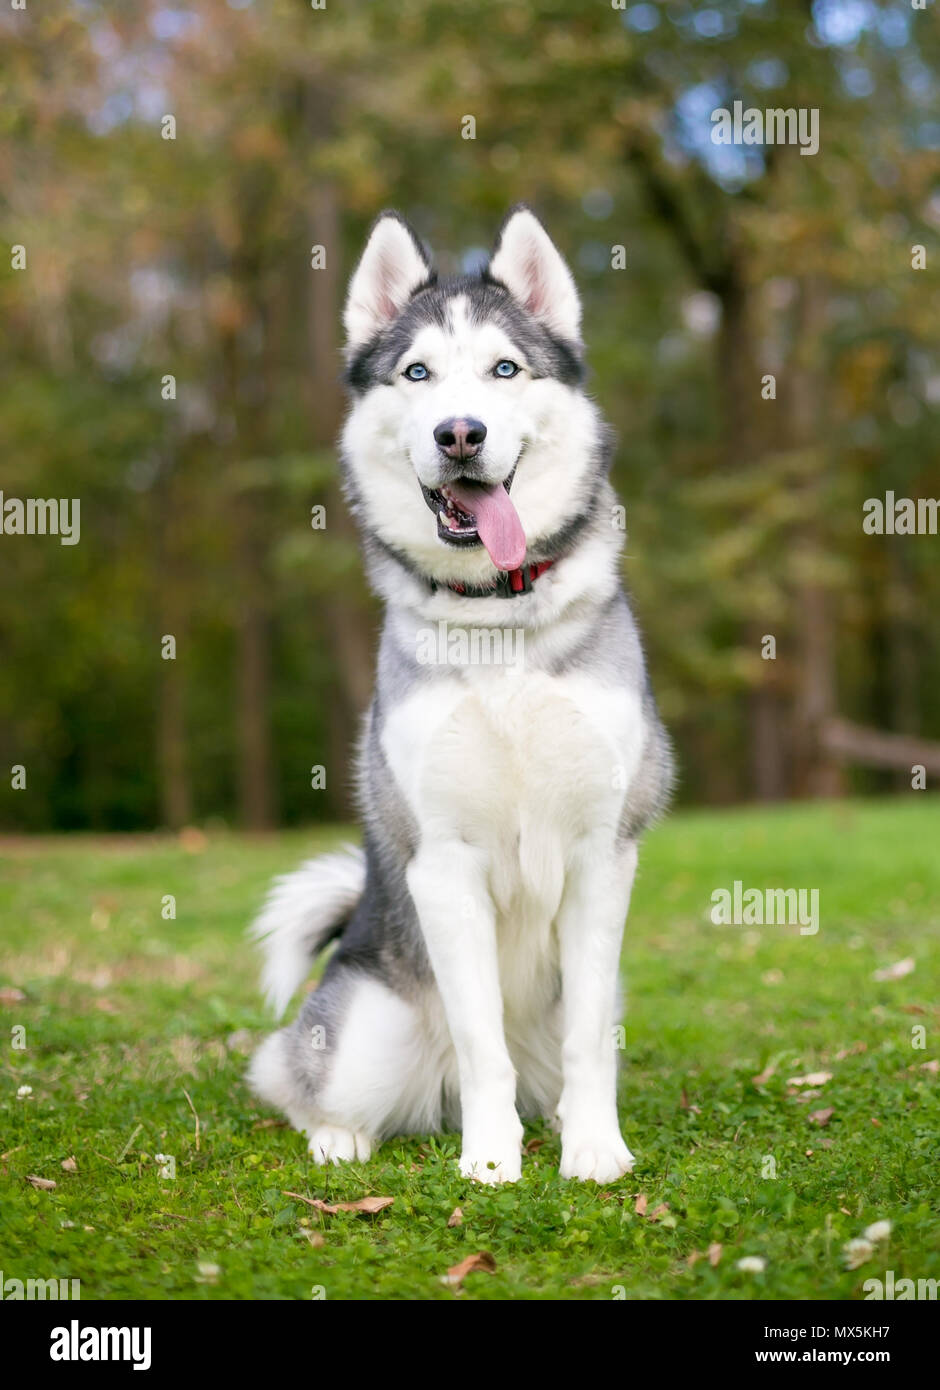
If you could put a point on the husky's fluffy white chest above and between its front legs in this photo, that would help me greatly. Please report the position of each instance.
(521, 765)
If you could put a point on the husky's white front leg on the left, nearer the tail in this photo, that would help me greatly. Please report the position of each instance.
(448, 883)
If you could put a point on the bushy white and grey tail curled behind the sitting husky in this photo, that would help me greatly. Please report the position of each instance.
(304, 913)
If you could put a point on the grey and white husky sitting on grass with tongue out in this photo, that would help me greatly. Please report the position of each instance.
(475, 976)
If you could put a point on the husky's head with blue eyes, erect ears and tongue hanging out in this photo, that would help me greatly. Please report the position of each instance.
(469, 443)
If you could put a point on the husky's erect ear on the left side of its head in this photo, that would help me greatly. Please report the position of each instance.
(391, 269)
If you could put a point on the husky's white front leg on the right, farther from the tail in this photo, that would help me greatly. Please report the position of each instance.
(590, 928)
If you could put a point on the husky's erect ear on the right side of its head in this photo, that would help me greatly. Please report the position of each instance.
(532, 269)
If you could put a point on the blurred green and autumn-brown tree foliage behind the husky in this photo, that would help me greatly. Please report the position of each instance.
(193, 258)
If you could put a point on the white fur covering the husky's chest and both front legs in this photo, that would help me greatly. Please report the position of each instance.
(518, 843)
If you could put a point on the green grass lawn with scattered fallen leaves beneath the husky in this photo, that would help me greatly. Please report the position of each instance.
(127, 1013)
